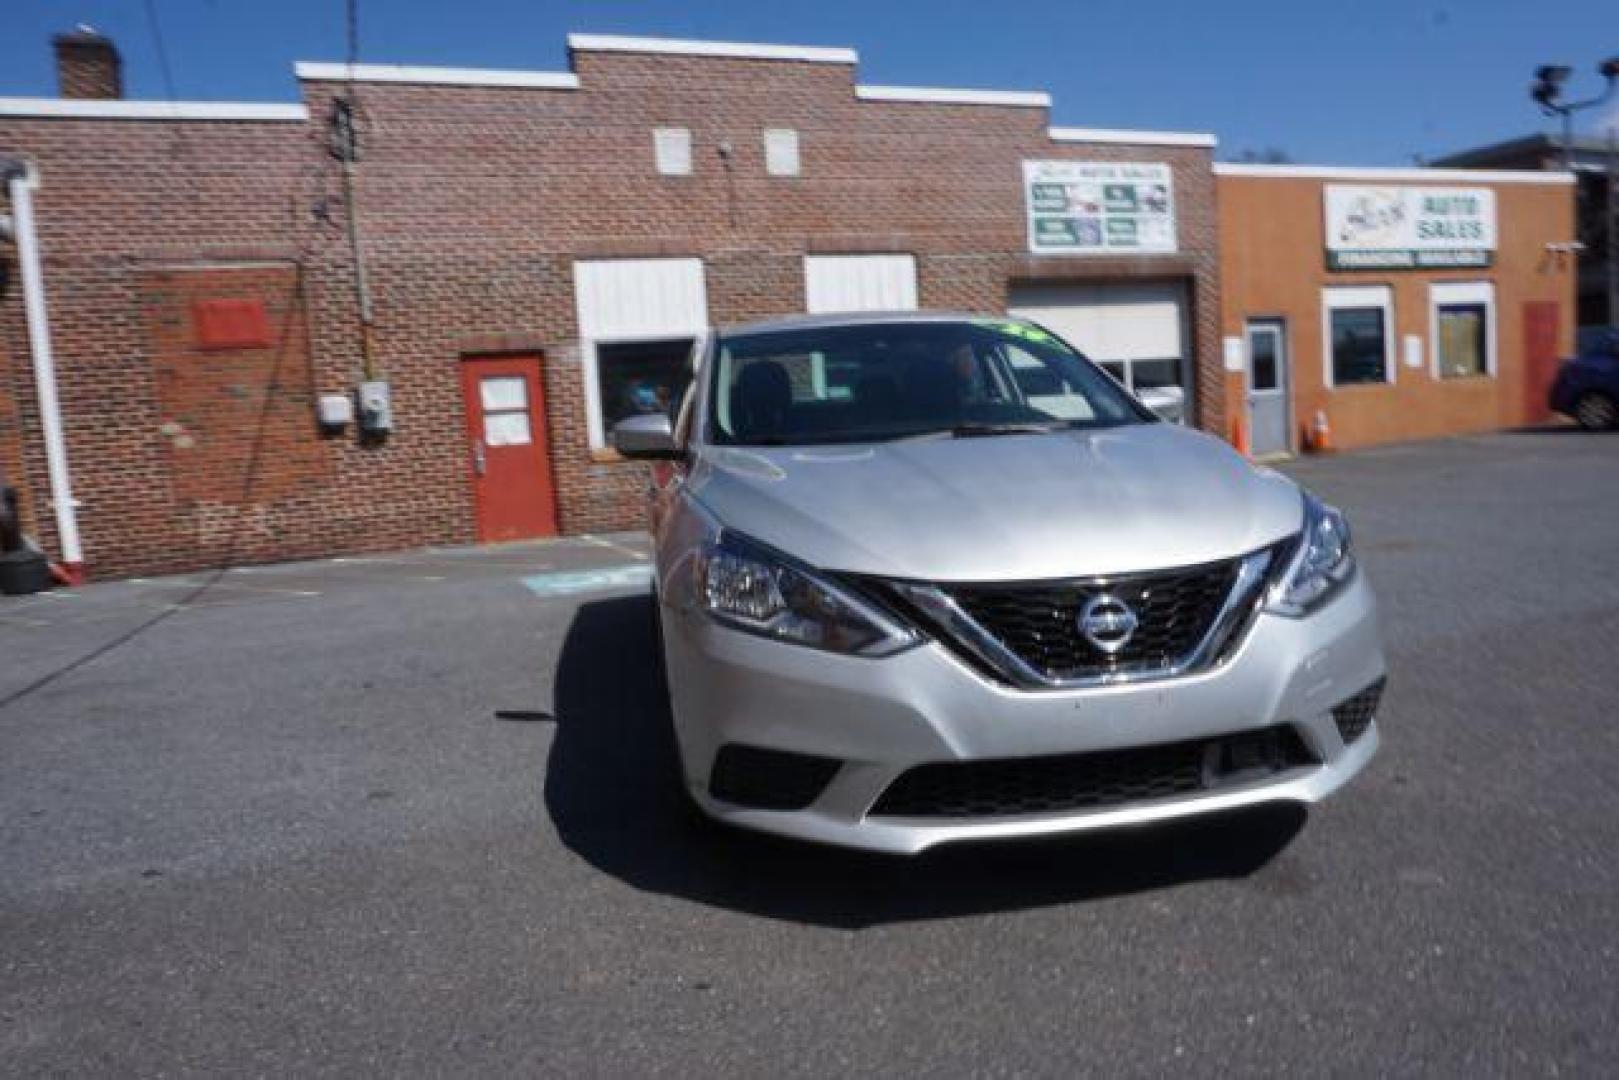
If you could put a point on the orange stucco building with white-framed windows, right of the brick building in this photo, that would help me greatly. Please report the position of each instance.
(1382, 305)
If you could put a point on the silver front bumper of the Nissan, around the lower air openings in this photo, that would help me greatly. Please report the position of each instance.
(885, 716)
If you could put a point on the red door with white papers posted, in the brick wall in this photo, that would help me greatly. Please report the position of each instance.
(508, 446)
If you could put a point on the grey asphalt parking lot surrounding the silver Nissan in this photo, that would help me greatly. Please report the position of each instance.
(414, 814)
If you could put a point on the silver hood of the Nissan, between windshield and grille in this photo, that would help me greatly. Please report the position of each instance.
(1005, 508)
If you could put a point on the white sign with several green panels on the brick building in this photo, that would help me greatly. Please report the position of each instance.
(1100, 208)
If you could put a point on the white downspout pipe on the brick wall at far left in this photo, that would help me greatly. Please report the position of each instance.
(22, 182)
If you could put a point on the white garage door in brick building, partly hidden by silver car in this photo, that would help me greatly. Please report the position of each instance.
(1139, 333)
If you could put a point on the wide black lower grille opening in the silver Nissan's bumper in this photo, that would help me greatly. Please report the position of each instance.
(1092, 781)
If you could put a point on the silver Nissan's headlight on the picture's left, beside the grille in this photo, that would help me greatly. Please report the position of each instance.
(759, 590)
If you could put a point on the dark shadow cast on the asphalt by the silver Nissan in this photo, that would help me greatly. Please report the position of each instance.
(614, 796)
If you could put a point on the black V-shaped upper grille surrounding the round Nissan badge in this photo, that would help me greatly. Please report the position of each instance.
(1040, 623)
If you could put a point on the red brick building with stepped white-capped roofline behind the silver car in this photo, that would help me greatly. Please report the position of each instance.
(542, 249)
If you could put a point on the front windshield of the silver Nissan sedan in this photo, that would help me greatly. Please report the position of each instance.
(882, 381)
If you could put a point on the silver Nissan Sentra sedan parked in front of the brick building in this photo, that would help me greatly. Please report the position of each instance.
(930, 577)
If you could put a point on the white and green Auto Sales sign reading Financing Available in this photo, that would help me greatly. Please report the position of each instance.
(1409, 229)
